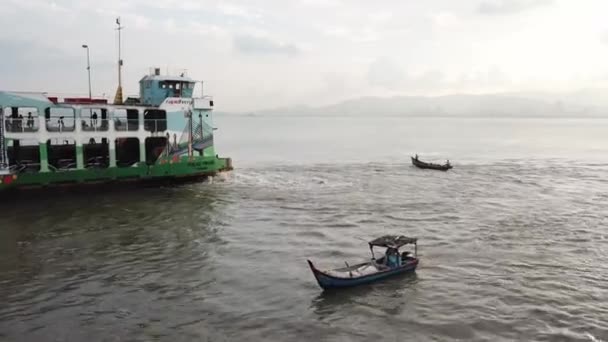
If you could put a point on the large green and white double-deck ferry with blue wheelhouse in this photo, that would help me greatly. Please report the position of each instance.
(165, 134)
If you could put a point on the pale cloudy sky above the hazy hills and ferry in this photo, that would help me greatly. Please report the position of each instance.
(260, 54)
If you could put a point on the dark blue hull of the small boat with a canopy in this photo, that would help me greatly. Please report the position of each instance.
(327, 281)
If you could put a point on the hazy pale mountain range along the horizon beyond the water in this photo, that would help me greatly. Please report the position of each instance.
(491, 105)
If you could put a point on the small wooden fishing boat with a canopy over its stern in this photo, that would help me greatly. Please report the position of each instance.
(392, 263)
